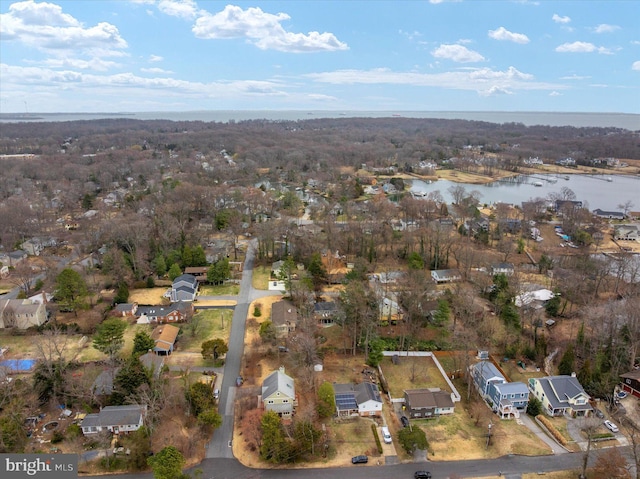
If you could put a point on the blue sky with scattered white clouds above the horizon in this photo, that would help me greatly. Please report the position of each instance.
(375, 55)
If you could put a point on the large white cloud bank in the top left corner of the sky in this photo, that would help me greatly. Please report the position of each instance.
(45, 27)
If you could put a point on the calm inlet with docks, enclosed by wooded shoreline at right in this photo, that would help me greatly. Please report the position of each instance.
(595, 191)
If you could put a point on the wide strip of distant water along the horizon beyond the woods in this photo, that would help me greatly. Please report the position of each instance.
(627, 121)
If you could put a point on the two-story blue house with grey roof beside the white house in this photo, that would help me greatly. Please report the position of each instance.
(505, 399)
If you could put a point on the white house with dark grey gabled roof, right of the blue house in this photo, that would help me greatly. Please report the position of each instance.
(561, 395)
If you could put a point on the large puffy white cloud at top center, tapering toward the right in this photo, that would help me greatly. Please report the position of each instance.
(263, 29)
